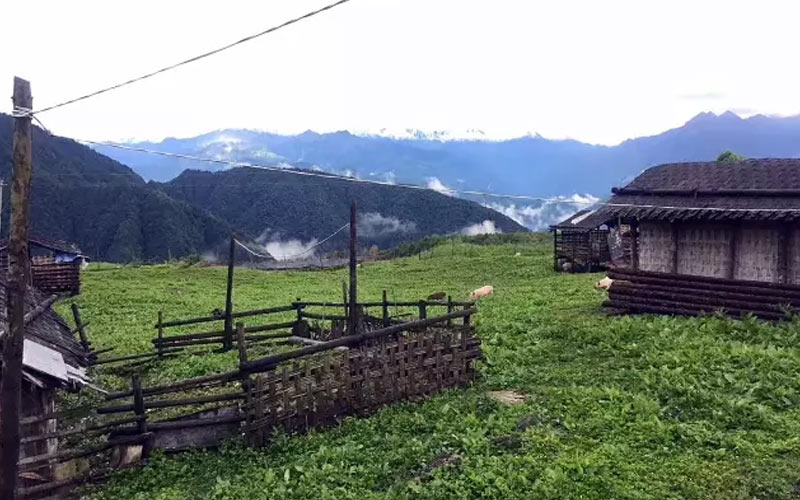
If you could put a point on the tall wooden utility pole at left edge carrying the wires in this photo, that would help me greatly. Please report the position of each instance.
(17, 277)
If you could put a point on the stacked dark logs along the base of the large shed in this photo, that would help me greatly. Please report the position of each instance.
(669, 293)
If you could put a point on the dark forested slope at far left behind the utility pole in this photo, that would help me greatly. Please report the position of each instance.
(103, 206)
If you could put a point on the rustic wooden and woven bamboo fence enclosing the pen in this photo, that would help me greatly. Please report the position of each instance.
(311, 386)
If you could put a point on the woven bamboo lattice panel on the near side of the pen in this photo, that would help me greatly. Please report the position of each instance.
(320, 391)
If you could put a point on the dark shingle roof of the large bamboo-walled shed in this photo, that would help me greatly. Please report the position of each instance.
(757, 189)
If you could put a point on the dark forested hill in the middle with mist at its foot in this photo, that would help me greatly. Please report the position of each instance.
(279, 205)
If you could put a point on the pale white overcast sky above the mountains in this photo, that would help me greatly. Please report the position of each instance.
(599, 72)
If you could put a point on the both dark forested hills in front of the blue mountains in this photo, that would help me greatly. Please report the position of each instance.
(113, 214)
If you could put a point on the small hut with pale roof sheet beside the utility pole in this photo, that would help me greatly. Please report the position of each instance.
(52, 360)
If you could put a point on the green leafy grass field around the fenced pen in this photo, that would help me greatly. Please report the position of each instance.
(615, 407)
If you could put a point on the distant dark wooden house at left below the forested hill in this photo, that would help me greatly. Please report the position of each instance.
(55, 265)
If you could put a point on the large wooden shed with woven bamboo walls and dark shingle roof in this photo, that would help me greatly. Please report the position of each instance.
(710, 236)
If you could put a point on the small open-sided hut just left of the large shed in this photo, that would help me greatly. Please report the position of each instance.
(581, 243)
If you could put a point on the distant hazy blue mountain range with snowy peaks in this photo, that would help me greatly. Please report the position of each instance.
(530, 165)
